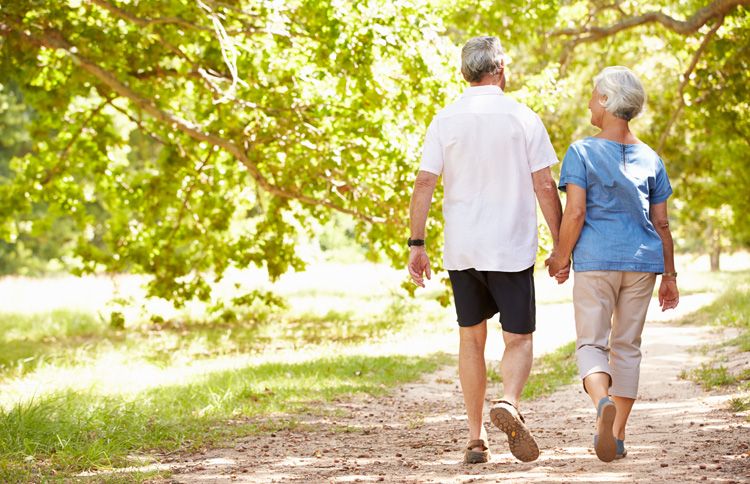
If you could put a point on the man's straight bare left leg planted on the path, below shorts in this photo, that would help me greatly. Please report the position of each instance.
(472, 372)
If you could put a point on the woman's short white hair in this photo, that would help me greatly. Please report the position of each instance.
(623, 89)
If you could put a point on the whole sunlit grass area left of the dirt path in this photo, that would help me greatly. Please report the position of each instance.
(63, 433)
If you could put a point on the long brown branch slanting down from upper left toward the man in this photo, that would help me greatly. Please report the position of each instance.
(52, 39)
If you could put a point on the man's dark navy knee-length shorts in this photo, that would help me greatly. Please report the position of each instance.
(479, 295)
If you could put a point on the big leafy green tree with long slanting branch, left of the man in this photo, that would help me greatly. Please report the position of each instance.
(209, 134)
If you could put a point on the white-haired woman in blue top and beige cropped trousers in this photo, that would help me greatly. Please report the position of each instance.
(615, 224)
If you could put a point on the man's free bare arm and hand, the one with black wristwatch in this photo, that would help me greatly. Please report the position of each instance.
(421, 199)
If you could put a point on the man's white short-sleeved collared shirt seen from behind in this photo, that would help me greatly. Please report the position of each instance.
(486, 146)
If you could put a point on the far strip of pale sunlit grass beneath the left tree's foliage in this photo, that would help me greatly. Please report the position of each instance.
(74, 338)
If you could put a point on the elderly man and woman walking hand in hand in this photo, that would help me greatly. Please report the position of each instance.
(494, 155)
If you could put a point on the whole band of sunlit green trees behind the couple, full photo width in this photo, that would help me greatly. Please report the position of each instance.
(181, 138)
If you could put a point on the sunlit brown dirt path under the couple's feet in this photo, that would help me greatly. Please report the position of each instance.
(677, 433)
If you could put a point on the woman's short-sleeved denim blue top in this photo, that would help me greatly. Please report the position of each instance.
(621, 182)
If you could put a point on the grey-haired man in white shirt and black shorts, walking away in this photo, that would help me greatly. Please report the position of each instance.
(494, 155)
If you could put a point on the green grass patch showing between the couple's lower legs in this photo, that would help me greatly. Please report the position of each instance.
(549, 372)
